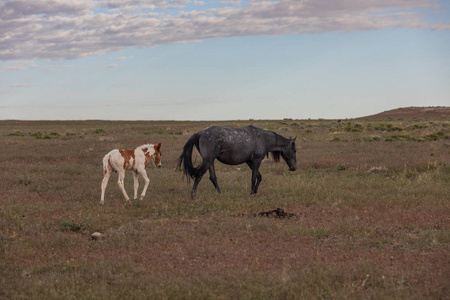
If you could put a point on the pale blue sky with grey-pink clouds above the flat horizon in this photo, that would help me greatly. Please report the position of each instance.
(221, 59)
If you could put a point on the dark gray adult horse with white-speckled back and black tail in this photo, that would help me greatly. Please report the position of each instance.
(233, 146)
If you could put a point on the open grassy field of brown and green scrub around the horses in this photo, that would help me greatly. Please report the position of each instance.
(370, 201)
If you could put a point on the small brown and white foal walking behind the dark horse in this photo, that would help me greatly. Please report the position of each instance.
(136, 160)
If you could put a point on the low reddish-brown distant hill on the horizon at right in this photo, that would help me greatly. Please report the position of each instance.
(410, 113)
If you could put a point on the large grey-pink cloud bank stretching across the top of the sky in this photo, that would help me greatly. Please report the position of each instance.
(53, 29)
